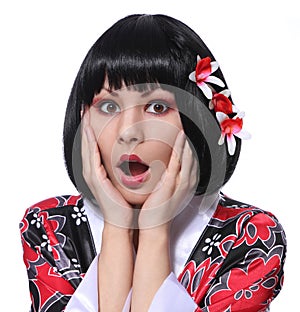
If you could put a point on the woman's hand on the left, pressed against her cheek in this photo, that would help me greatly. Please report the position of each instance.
(114, 207)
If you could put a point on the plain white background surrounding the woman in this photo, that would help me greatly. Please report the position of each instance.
(42, 46)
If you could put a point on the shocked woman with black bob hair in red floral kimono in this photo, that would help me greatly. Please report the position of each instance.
(151, 135)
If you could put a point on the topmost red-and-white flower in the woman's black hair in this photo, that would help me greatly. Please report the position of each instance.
(202, 75)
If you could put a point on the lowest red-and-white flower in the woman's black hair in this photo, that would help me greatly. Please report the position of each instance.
(231, 127)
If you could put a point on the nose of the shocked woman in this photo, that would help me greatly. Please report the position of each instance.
(130, 127)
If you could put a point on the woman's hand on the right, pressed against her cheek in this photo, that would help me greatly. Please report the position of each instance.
(175, 189)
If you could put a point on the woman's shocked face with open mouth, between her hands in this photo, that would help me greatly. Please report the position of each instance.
(135, 132)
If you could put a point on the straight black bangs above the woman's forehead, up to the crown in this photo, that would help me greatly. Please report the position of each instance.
(132, 53)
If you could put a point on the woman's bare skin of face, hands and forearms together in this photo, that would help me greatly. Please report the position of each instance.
(136, 218)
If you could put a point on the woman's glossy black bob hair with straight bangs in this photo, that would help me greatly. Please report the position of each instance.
(141, 49)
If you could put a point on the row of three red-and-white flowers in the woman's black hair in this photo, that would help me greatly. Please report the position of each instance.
(228, 116)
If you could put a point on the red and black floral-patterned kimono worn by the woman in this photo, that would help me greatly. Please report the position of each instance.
(236, 263)
